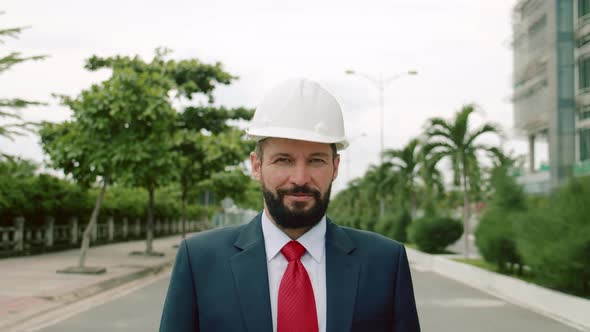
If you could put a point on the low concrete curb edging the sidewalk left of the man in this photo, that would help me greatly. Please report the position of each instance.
(88, 291)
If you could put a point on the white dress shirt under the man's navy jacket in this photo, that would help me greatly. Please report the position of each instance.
(314, 261)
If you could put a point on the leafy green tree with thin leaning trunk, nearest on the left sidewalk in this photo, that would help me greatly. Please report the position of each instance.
(90, 147)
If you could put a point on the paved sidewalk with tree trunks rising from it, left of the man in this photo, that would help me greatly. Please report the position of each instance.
(30, 286)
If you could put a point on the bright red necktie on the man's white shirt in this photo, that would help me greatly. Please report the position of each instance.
(296, 312)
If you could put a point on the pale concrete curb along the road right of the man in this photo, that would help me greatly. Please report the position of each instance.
(565, 308)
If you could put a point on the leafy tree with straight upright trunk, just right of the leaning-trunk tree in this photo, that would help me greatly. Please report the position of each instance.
(151, 121)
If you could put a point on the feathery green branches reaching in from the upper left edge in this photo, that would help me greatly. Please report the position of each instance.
(14, 124)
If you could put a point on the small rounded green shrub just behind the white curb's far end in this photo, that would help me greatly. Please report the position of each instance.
(434, 233)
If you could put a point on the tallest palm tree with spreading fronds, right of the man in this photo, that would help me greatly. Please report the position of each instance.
(454, 140)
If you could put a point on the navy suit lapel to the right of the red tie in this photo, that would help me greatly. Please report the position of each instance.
(342, 272)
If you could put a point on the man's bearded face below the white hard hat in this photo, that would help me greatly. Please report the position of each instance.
(296, 178)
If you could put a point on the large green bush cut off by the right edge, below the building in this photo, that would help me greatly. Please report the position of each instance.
(554, 238)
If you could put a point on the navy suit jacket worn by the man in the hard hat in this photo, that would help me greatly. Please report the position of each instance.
(220, 283)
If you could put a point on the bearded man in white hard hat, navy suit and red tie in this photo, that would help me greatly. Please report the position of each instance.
(292, 269)
